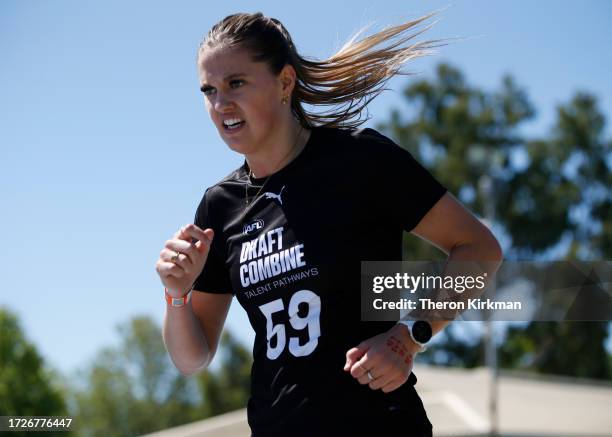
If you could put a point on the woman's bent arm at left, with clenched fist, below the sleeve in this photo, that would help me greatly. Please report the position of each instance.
(190, 332)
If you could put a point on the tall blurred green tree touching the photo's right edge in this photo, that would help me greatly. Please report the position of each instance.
(583, 188)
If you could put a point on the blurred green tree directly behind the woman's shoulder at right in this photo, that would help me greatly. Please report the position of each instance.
(462, 134)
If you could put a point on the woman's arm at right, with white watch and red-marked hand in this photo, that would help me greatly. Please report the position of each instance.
(448, 225)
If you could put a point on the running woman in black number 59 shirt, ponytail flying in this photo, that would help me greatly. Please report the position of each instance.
(285, 233)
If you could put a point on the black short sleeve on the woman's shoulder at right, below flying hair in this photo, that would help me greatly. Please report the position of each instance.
(402, 187)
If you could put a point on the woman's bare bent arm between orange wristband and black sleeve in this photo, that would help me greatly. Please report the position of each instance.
(191, 332)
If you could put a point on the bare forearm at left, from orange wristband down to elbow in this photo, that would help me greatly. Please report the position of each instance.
(185, 340)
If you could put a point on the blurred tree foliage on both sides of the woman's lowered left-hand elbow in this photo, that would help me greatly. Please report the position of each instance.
(134, 388)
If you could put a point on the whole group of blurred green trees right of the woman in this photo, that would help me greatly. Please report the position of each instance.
(470, 140)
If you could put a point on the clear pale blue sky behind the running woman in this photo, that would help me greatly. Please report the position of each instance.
(107, 147)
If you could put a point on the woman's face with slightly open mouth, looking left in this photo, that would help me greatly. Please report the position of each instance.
(236, 88)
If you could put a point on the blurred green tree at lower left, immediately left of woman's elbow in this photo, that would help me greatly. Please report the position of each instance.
(134, 389)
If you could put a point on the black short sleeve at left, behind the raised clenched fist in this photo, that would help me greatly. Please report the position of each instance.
(215, 275)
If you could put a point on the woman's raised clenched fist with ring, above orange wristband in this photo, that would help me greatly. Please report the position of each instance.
(179, 273)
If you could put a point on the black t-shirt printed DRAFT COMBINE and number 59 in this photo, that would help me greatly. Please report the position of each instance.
(292, 258)
